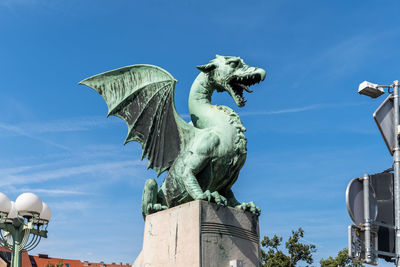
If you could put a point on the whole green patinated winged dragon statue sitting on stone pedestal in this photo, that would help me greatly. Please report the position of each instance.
(203, 158)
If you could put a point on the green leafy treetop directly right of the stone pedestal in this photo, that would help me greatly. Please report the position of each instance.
(296, 251)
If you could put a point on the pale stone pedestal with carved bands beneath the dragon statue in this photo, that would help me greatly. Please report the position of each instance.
(200, 234)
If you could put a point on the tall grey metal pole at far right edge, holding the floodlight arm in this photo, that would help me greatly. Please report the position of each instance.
(396, 169)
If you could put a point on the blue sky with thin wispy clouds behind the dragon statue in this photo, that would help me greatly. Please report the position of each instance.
(309, 131)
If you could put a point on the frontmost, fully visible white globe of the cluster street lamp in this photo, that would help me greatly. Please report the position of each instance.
(28, 205)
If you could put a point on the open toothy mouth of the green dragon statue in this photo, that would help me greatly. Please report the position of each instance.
(239, 84)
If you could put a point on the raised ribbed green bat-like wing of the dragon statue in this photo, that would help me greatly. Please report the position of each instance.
(143, 96)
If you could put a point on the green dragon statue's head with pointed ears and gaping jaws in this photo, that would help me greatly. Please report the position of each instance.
(231, 74)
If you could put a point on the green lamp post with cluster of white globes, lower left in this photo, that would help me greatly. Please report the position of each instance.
(22, 224)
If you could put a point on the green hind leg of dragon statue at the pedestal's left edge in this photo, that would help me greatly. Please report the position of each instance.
(151, 198)
